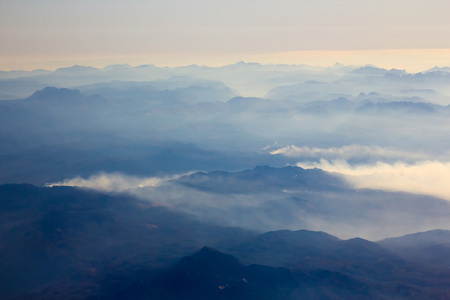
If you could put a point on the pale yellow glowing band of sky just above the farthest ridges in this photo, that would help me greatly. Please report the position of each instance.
(411, 60)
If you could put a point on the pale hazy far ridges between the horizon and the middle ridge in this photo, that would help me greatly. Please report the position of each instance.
(150, 120)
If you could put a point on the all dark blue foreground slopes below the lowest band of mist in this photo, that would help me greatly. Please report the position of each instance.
(65, 242)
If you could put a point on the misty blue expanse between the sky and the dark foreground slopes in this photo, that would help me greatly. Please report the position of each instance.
(146, 130)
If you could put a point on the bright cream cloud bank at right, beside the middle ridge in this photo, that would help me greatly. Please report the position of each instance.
(424, 177)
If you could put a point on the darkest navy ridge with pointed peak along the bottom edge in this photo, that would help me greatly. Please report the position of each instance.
(210, 274)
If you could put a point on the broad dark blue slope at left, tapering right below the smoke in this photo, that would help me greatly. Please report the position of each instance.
(59, 235)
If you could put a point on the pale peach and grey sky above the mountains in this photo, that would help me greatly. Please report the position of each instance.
(412, 34)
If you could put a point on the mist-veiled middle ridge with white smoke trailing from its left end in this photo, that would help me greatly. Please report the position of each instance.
(234, 199)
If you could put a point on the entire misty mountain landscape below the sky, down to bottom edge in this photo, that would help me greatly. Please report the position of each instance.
(134, 207)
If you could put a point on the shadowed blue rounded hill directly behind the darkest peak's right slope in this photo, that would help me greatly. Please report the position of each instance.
(318, 250)
